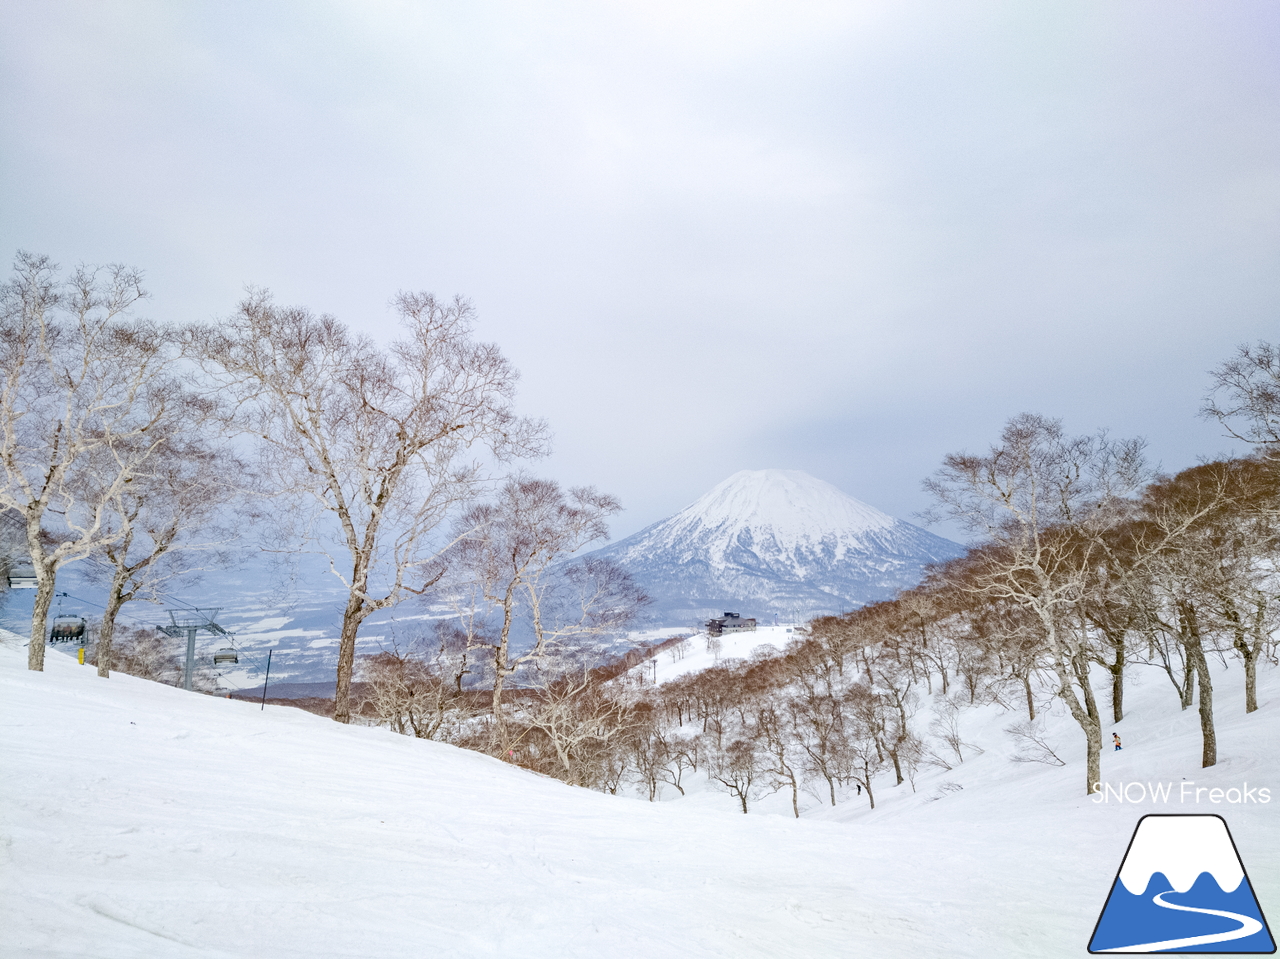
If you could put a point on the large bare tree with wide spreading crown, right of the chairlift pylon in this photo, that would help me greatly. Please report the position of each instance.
(368, 446)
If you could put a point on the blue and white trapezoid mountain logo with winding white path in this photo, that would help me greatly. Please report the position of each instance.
(1182, 889)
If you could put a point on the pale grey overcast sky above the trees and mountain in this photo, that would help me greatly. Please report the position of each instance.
(845, 239)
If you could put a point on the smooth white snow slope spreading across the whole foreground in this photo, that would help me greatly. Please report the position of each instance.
(141, 821)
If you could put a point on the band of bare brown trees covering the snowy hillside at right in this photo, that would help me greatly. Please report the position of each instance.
(1085, 567)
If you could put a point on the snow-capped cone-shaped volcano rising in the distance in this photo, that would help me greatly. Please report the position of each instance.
(775, 542)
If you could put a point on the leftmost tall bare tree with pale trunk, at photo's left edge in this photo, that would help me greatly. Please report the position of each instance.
(86, 399)
